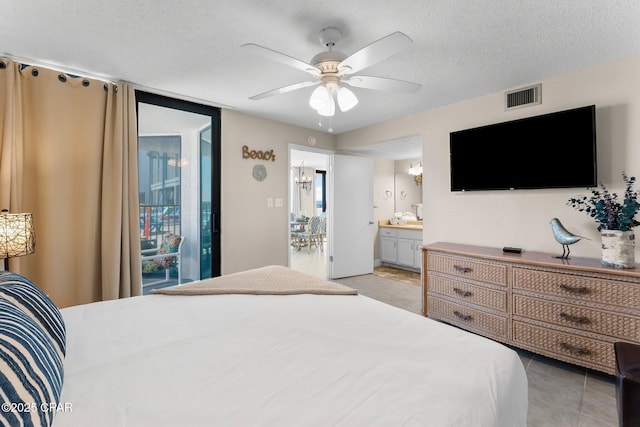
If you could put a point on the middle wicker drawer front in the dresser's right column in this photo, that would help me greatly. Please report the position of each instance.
(600, 322)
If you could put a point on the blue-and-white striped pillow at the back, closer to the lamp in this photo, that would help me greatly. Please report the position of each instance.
(36, 304)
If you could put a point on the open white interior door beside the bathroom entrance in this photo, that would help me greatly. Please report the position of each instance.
(351, 226)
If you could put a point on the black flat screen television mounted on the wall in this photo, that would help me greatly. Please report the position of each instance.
(556, 150)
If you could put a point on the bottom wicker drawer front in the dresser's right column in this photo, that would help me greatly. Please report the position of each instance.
(565, 345)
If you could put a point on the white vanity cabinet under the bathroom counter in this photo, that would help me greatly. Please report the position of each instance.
(401, 247)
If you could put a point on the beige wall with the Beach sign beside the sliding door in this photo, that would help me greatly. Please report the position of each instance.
(254, 235)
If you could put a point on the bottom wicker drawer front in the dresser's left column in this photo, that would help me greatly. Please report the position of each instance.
(468, 318)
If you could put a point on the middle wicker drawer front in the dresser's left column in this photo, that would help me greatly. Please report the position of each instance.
(485, 297)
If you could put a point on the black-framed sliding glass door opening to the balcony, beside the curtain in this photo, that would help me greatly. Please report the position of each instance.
(179, 184)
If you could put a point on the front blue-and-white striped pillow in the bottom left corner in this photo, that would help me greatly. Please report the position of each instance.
(31, 370)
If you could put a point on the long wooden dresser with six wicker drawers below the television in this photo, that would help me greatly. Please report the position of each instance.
(572, 310)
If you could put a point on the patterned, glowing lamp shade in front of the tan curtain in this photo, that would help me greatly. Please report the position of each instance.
(17, 235)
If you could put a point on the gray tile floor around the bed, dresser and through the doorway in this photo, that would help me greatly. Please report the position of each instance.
(560, 394)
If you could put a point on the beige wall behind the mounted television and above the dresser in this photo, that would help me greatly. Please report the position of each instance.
(521, 218)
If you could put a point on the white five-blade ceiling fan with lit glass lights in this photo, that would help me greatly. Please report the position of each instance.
(334, 71)
